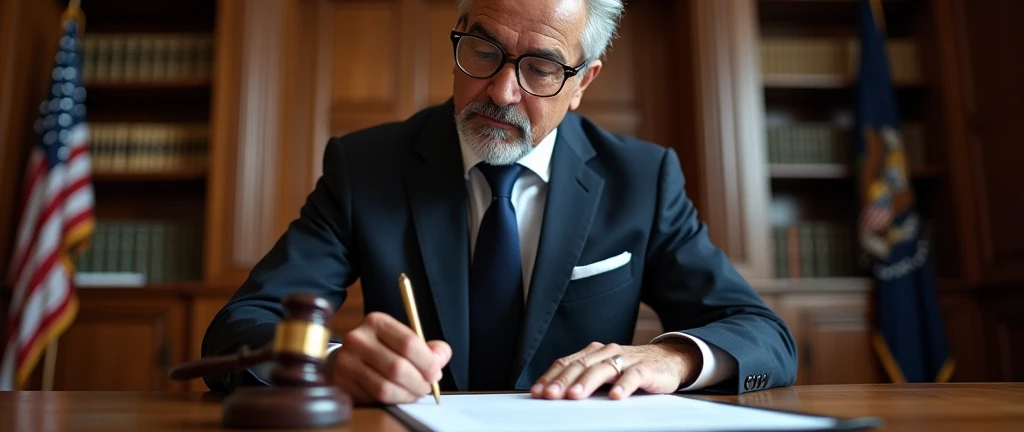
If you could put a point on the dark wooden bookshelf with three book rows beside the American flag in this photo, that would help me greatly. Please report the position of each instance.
(149, 78)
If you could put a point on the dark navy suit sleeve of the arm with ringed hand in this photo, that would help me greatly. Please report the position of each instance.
(695, 290)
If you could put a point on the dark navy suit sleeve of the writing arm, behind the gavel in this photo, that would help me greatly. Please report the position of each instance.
(314, 255)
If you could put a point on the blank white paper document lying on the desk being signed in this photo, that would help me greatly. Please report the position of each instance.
(639, 413)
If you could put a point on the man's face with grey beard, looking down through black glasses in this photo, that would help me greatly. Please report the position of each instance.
(500, 120)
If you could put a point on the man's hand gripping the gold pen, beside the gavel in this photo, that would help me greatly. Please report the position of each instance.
(383, 361)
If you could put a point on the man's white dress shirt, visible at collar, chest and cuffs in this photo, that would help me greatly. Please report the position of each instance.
(529, 197)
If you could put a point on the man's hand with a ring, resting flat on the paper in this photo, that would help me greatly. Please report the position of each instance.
(660, 368)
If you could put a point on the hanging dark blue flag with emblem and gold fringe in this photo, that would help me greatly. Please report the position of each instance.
(910, 335)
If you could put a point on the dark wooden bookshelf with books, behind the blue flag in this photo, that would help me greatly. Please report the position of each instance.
(809, 54)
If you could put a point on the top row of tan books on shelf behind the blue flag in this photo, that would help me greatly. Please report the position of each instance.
(834, 57)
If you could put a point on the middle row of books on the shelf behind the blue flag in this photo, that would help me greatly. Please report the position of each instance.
(829, 144)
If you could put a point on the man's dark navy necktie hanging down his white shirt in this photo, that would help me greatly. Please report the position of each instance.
(496, 298)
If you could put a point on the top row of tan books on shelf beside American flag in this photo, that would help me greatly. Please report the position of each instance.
(120, 58)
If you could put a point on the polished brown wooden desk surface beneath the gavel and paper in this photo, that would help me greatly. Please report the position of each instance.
(932, 408)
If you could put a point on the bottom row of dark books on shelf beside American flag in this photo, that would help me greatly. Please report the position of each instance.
(146, 251)
